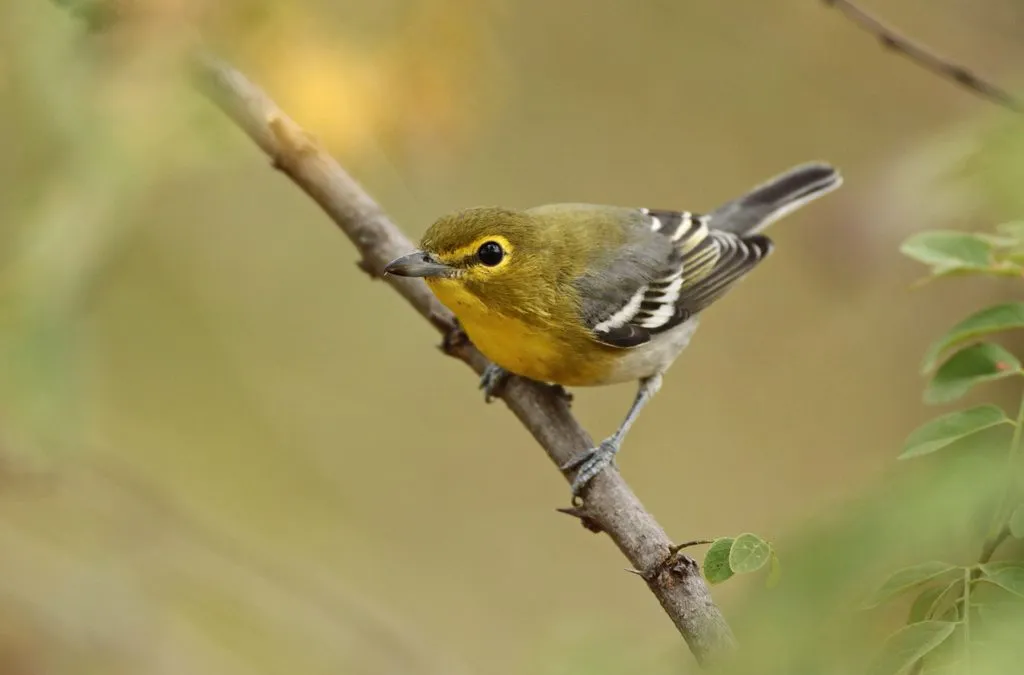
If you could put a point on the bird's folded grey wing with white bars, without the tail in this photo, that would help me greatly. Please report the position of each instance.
(673, 267)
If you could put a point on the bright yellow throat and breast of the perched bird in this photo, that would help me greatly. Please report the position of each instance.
(537, 351)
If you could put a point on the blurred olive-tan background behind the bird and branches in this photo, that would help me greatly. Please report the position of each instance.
(217, 454)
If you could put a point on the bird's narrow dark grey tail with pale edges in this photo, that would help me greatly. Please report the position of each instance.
(777, 198)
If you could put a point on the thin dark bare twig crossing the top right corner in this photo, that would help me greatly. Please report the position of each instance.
(922, 56)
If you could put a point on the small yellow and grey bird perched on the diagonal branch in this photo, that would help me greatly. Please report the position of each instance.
(583, 296)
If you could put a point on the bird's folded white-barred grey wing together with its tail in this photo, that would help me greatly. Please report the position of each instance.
(677, 264)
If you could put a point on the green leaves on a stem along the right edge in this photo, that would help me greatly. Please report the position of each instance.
(954, 603)
